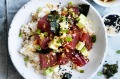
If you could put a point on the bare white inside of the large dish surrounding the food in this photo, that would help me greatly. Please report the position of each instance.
(97, 54)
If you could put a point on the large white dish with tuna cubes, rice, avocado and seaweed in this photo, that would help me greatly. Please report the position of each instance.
(57, 39)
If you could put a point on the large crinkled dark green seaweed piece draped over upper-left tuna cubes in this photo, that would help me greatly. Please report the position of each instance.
(53, 18)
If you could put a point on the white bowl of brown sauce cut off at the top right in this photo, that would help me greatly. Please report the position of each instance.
(107, 4)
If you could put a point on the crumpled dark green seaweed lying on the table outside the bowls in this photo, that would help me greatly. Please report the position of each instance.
(110, 70)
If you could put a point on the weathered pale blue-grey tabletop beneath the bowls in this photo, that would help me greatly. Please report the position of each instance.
(8, 8)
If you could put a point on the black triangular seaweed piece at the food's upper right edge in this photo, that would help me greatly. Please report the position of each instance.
(84, 9)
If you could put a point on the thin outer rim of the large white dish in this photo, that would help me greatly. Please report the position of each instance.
(106, 41)
